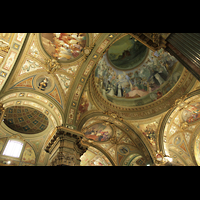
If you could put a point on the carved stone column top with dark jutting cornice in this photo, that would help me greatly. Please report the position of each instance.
(66, 147)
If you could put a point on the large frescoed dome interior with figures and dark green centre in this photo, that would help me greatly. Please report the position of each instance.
(129, 74)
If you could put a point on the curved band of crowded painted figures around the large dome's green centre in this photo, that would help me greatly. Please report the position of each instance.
(139, 82)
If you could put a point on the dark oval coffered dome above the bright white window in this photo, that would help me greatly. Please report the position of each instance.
(25, 119)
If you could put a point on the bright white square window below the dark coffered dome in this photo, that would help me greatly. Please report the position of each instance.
(13, 148)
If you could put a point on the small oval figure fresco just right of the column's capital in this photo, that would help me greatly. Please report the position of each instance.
(99, 132)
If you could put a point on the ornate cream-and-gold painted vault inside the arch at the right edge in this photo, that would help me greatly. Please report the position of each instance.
(181, 137)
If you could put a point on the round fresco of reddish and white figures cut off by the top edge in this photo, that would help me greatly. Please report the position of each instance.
(63, 46)
